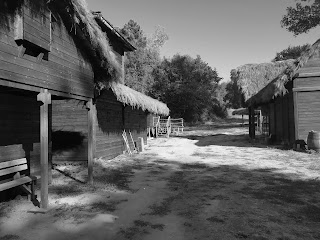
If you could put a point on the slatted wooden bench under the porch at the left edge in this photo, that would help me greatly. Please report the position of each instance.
(18, 180)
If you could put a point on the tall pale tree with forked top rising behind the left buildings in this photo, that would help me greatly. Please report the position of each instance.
(139, 64)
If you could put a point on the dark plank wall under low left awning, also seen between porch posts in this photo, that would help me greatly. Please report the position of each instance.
(70, 116)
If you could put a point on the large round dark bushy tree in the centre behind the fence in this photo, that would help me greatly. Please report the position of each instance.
(188, 85)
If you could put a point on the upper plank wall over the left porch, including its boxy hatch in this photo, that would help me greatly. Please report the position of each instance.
(63, 67)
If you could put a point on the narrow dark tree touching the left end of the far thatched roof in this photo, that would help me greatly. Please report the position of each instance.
(234, 97)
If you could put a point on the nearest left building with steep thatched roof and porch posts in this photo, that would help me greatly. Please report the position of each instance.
(49, 51)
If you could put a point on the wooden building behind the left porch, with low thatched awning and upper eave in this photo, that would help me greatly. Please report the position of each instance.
(116, 108)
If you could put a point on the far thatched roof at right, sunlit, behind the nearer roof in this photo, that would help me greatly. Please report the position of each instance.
(253, 77)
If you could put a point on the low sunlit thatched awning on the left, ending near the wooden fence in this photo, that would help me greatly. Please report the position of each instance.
(136, 99)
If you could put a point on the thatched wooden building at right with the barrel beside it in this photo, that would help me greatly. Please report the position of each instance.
(291, 101)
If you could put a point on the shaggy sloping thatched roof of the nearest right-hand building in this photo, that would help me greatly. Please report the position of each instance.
(277, 86)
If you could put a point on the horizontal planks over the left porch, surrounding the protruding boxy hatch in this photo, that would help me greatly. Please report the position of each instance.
(66, 68)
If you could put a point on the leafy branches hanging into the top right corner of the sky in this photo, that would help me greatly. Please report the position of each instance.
(302, 17)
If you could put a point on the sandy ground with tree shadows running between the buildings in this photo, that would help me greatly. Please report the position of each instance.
(209, 183)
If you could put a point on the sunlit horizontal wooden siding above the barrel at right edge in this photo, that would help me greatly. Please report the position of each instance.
(308, 111)
